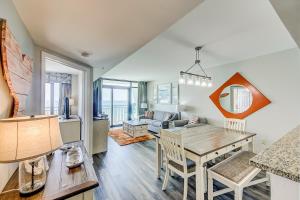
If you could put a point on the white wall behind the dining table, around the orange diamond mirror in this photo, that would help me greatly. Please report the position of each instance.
(275, 75)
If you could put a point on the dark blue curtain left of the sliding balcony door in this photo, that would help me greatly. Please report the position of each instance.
(97, 97)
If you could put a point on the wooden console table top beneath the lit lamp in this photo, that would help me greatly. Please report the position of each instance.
(61, 182)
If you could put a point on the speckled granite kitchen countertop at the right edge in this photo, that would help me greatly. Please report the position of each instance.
(282, 158)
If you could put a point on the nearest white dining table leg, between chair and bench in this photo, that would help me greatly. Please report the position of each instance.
(200, 184)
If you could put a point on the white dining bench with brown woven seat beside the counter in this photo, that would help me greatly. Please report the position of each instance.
(236, 173)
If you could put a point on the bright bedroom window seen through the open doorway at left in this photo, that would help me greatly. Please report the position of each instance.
(52, 91)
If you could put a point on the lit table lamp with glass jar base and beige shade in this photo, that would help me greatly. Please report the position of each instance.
(27, 139)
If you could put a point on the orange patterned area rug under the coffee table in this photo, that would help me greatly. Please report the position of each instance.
(123, 139)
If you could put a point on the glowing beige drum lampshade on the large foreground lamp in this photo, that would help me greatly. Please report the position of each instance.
(24, 138)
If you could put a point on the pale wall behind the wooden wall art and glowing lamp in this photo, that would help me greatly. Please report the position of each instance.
(8, 12)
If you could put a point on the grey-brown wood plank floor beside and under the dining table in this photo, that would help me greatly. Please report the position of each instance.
(128, 173)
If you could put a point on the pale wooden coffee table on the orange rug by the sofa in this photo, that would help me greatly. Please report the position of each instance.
(135, 128)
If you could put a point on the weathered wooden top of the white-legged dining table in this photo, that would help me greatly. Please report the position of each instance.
(205, 139)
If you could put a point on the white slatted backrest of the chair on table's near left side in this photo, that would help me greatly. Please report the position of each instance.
(173, 148)
